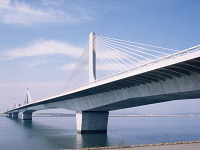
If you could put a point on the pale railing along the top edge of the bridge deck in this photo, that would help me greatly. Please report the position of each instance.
(169, 57)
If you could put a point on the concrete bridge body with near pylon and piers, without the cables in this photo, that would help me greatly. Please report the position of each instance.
(173, 77)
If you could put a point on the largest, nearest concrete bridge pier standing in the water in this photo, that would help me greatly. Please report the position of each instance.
(92, 121)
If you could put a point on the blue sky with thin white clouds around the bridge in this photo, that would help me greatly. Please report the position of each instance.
(40, 41)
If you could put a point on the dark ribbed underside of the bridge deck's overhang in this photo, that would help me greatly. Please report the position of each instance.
(177, 70)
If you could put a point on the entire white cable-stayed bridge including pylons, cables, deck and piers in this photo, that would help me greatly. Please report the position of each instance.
(114, 74)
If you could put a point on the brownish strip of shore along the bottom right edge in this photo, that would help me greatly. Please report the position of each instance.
(140, 146)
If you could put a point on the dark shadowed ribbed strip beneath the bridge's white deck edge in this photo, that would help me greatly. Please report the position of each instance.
(156, 76)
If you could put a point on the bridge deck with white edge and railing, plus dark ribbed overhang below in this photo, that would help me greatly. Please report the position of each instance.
(183, 63)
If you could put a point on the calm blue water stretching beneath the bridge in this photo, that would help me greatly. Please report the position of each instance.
(60, 132)
